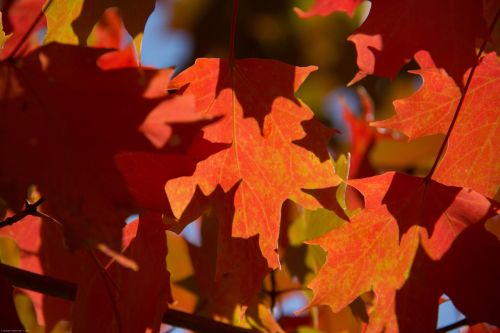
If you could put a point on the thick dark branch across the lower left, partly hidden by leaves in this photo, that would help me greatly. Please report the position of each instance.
(67, 290)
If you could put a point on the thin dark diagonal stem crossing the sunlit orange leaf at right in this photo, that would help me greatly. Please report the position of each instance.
(462, 98)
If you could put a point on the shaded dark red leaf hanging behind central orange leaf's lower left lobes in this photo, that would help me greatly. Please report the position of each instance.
(229, 270)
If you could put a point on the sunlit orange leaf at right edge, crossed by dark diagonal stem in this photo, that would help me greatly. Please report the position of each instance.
(470, 159)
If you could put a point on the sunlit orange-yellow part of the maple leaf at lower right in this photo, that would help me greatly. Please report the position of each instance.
(364, 255)
